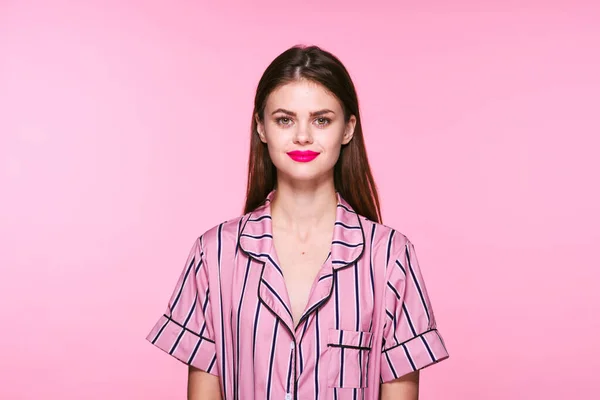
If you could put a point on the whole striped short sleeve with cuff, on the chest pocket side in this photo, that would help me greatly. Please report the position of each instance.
(411, 338)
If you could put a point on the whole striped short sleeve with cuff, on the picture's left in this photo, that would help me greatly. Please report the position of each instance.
(185, 330)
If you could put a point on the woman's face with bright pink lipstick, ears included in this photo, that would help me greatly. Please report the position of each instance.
(304, 130)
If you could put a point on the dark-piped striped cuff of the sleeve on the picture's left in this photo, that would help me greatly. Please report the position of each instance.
(183, 344)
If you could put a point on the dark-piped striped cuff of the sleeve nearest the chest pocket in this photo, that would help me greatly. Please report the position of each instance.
(417, 353)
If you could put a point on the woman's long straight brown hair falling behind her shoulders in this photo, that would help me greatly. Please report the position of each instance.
(352, 175)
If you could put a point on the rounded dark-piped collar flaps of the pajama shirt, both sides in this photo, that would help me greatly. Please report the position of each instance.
(256, 237)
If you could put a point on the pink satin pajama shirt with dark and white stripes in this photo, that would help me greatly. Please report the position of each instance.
(368, 318)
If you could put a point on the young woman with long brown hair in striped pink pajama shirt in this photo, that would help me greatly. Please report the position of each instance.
(307, 295)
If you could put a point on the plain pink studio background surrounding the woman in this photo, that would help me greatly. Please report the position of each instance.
(482, 122)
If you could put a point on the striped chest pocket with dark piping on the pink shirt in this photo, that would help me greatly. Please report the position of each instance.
(348, 358)
